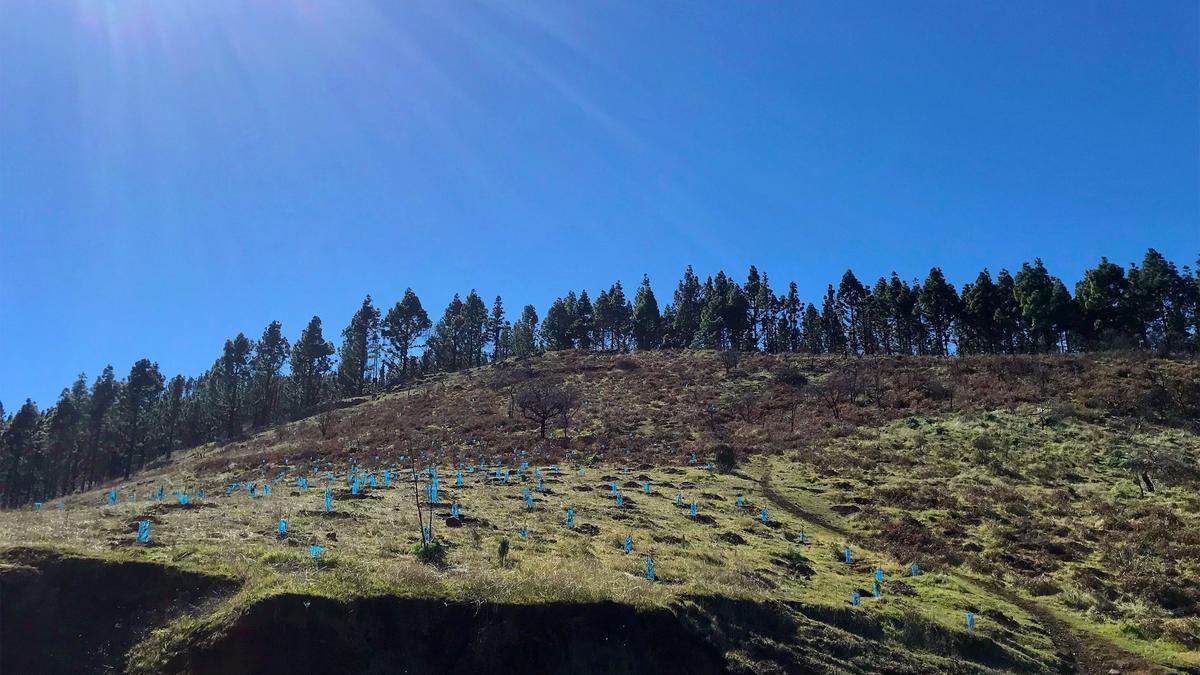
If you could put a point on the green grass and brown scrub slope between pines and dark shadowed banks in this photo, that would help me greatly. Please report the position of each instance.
(1040, 507)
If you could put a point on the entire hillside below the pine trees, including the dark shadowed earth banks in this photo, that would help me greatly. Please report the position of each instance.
(1054, 499)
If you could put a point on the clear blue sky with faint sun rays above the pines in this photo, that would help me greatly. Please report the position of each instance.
(176, 172)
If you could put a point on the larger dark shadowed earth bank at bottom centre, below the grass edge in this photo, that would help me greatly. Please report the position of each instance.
(313, 635)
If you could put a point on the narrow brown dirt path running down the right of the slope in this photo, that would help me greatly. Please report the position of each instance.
(1078, 653)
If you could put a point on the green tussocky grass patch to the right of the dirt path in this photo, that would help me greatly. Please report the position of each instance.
(1047, 493)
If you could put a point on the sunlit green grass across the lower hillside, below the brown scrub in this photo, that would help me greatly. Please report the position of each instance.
(931, 469)
